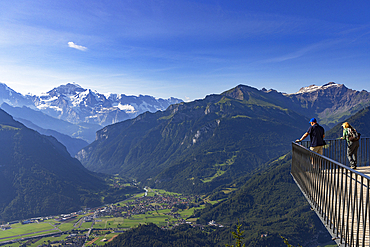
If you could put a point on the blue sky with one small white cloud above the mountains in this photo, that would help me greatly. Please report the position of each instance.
(184, 49)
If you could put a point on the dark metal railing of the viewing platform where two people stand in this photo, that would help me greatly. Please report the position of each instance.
(338, 194)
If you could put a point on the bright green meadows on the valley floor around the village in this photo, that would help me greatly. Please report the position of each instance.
(102, 227)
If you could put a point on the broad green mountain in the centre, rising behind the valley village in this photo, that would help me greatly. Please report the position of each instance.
(196, 146)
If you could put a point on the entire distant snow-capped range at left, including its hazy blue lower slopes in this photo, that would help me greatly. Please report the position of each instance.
(89, 110)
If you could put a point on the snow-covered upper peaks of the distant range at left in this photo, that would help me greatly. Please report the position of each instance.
(75, 104)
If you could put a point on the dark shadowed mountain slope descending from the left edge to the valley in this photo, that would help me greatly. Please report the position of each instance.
(38, 176)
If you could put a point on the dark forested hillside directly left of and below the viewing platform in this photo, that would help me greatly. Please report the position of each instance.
(268, 202)
